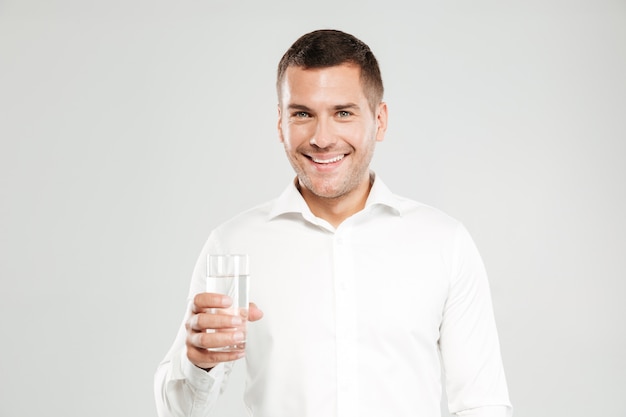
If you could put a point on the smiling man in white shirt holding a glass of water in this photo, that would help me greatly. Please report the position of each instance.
(362, 291)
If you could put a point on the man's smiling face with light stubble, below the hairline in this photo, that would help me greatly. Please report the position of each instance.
(328, 129)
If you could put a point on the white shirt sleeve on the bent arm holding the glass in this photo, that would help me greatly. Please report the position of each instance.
(182, 389)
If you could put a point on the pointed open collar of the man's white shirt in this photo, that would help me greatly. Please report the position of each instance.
(291, 201)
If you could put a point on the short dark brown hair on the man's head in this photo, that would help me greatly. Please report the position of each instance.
(328, 48)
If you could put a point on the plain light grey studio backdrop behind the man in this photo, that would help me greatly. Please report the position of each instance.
(129, 129)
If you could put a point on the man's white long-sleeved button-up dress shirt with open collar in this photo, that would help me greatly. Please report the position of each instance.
(358, 320)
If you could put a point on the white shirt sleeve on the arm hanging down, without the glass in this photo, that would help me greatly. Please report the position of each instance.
(470, 349)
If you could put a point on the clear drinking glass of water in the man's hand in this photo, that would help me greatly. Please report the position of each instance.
(228, 274)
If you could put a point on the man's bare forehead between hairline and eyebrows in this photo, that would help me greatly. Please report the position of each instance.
(341, 82)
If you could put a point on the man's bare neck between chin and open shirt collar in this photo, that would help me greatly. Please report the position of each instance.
(336, 210)
